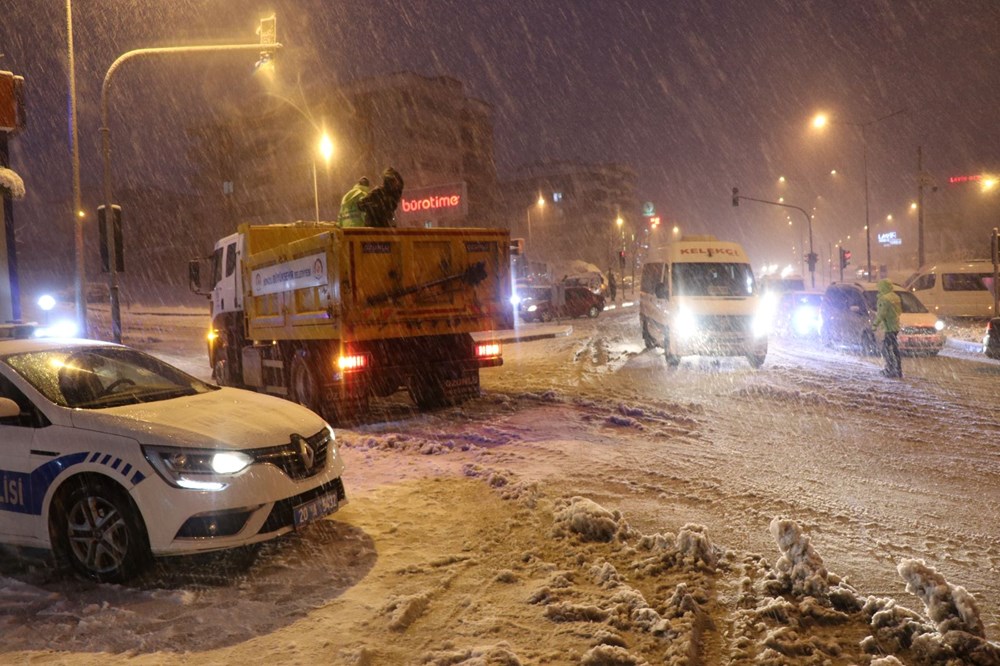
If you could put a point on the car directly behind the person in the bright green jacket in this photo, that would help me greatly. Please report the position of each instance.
(848, 311)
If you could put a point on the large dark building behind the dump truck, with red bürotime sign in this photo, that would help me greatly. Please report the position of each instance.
(263, 166)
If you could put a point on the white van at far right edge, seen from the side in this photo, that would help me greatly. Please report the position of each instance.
(955, 289)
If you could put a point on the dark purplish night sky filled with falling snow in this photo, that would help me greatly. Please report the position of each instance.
(698, 96)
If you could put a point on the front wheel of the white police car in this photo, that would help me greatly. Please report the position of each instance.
(97, 531)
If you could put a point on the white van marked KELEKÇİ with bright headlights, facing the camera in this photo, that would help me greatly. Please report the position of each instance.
(698, 297)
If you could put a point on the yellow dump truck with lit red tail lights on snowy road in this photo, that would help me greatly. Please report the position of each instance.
(328, 317)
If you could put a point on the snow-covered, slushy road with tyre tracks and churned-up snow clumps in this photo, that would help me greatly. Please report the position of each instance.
(595, 506)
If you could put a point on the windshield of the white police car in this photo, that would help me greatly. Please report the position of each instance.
(99, 377)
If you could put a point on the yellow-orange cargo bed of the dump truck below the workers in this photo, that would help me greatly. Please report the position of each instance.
(309, 282)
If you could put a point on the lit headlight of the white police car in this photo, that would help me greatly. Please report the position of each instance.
(196, 469)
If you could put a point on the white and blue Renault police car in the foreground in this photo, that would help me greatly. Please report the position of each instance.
(110, 457)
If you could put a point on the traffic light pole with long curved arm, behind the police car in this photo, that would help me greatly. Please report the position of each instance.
(113, 286)
